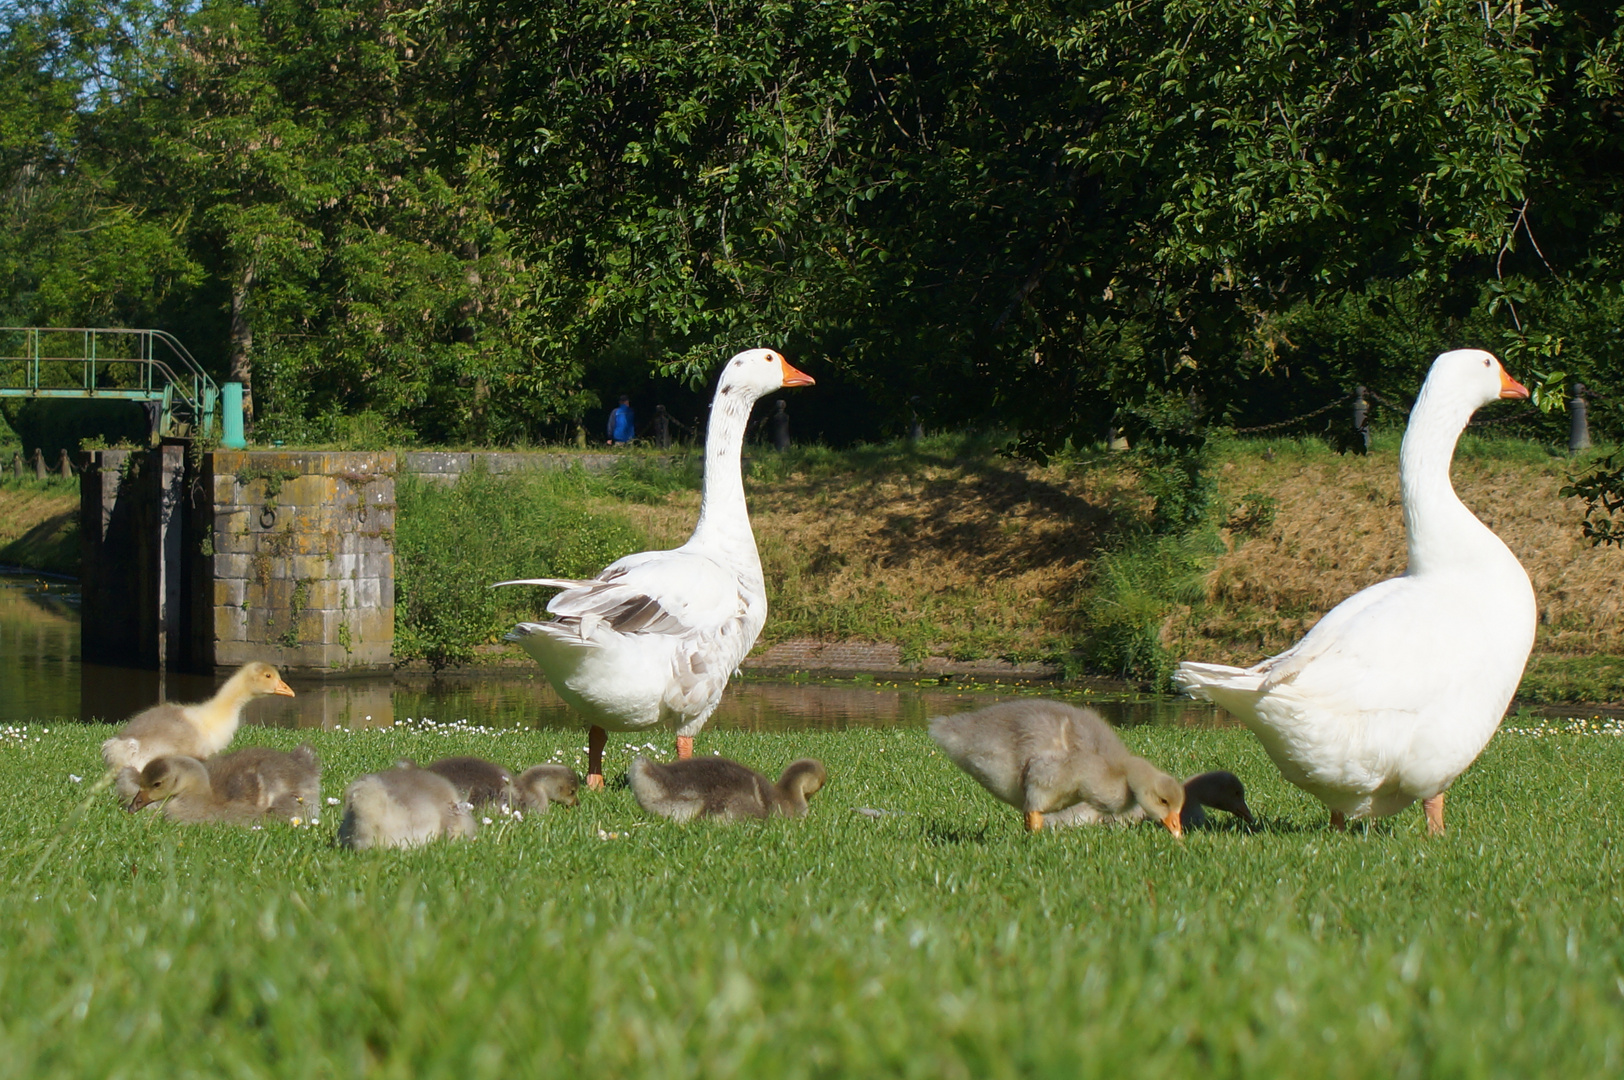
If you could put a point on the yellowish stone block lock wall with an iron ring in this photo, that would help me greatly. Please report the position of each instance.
(300, 559)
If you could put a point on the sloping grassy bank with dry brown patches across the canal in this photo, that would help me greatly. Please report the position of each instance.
(951, 548)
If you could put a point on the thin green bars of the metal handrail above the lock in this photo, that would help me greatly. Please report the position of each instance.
(191, 387)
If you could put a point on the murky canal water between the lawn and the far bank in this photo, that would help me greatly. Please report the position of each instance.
(43, 680)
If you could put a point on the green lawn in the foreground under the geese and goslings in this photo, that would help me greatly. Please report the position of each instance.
(939, 941)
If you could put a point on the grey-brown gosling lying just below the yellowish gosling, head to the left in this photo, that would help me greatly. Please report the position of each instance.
(240, 788)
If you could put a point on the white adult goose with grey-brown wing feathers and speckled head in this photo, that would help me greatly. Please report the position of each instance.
(657, 636)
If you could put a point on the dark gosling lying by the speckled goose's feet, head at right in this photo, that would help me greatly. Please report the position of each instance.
(714, 787)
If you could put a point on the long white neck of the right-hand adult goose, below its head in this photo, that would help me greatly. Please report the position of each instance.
(1443, 534)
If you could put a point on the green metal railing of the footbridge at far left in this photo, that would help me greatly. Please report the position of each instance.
(111, 365)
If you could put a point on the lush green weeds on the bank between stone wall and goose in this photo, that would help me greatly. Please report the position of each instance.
(452, 542)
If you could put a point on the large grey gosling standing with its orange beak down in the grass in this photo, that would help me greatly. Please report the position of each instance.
(1043, 758)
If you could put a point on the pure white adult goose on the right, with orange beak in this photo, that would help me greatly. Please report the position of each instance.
(1397, 689)
